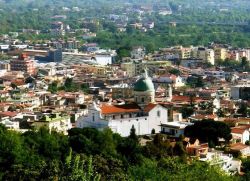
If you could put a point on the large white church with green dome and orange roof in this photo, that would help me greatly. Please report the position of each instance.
(144, 113)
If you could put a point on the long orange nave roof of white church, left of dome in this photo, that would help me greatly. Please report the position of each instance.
(113, 109)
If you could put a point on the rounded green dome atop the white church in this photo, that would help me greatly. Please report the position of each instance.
(144, 84)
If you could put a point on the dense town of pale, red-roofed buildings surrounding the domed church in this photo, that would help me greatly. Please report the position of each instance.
(160, 92)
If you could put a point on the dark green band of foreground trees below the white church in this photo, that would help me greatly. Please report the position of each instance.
(95, 155)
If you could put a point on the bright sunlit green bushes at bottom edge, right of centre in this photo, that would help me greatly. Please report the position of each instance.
(174, 169)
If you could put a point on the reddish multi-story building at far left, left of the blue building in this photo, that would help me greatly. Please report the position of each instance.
(24, 64)
